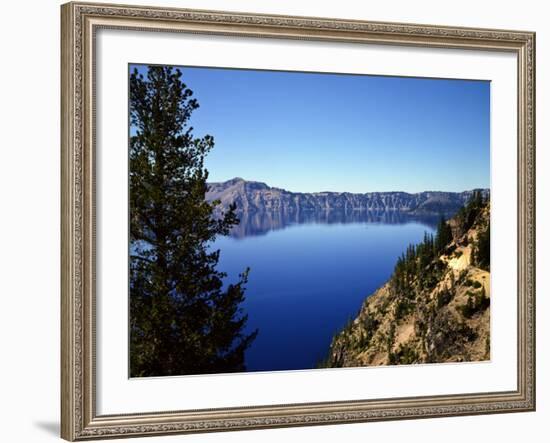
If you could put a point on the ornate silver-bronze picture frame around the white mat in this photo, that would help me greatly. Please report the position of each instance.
(80, 21)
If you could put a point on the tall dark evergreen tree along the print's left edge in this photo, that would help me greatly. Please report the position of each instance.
(182, 319)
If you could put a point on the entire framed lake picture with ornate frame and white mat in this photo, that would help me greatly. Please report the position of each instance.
(283, 221)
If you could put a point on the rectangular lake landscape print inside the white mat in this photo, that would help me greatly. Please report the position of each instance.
(297, 220)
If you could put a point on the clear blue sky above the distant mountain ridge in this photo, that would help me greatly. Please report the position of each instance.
(331, 132)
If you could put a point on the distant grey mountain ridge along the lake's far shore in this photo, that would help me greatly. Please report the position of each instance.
(253, 197)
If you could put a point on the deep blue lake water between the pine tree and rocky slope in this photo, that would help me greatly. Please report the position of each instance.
(308, 277)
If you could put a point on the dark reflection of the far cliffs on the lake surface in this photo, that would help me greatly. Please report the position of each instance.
(260, 223)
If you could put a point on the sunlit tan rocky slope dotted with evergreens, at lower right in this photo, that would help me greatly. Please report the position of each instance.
(434, 308)
